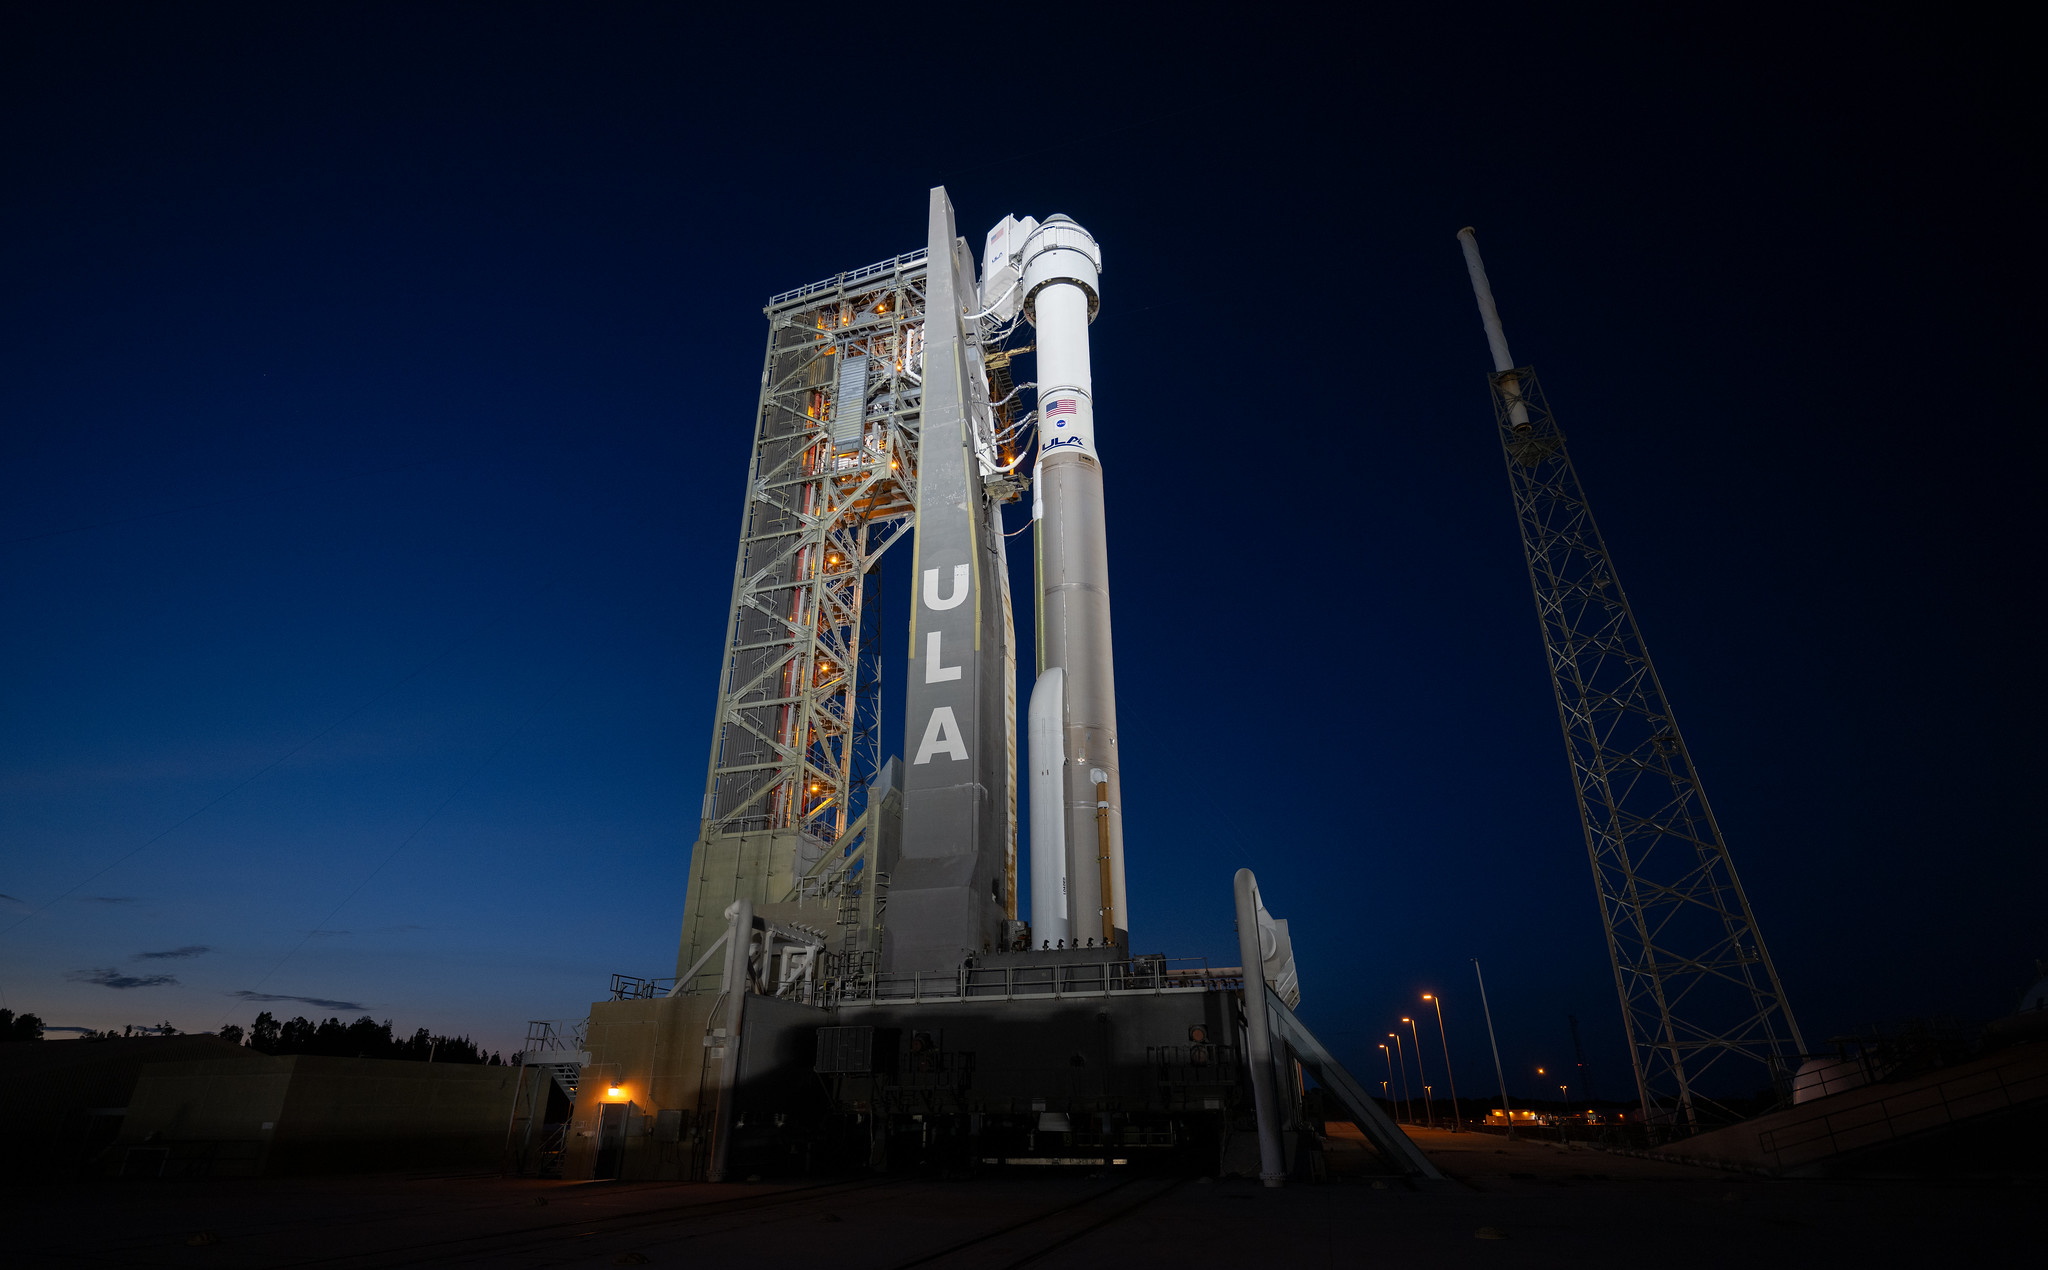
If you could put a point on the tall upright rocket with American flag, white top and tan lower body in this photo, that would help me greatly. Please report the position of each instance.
(1062, 267)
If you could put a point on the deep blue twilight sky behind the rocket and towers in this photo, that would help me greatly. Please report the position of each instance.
(378, 384)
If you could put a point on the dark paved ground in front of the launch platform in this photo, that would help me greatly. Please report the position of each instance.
(1506, 1205)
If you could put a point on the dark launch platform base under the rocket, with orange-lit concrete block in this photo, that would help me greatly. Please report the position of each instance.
(1021, 1060)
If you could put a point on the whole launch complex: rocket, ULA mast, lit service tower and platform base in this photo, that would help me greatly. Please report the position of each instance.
(857, 984)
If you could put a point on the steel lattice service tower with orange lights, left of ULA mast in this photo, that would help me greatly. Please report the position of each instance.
(796, 740)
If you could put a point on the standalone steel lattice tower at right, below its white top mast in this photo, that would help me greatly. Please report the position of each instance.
(1695, 978)
